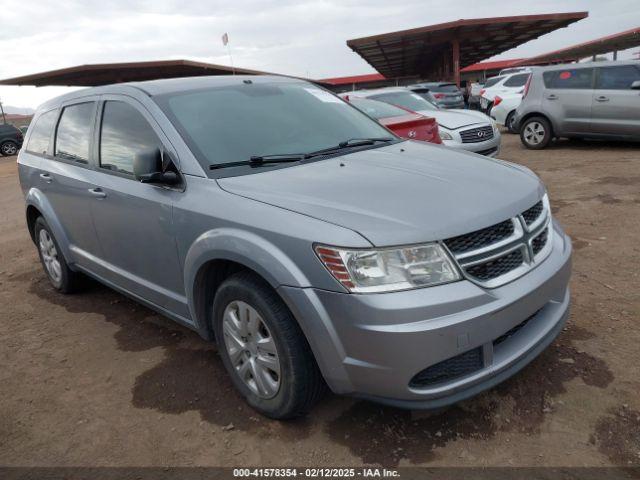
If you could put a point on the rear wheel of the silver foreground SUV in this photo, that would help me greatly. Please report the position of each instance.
(62, 278)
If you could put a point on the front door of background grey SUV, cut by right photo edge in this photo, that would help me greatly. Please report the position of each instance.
(616, 106)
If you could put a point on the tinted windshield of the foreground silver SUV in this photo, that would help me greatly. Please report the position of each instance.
(236, 122)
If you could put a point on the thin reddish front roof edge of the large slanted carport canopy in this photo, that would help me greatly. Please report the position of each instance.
(468, 22)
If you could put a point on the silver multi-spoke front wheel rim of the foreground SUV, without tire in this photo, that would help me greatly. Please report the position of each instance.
(251, 349)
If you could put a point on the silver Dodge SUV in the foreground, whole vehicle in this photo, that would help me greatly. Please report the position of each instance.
(314, 246)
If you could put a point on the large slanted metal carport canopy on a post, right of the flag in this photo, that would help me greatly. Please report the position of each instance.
(440, 51)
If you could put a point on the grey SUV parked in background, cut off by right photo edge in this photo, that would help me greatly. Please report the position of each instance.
(594, 100)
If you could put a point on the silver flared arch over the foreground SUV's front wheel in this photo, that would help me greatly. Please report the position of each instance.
(242, 247)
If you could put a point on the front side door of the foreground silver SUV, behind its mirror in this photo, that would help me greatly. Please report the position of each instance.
(133, 219)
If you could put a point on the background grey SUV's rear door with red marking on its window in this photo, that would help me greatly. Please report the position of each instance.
(567, 99)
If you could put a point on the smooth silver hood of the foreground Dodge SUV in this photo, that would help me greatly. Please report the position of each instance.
(405, 193)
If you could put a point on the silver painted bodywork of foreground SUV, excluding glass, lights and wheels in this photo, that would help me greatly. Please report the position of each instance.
(153, 244)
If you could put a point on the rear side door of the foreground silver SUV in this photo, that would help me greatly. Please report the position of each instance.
(66, 171)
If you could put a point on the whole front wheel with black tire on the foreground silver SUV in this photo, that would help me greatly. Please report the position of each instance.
(277, 341)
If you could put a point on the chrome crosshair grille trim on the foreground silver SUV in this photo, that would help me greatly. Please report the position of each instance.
(522, 239)
